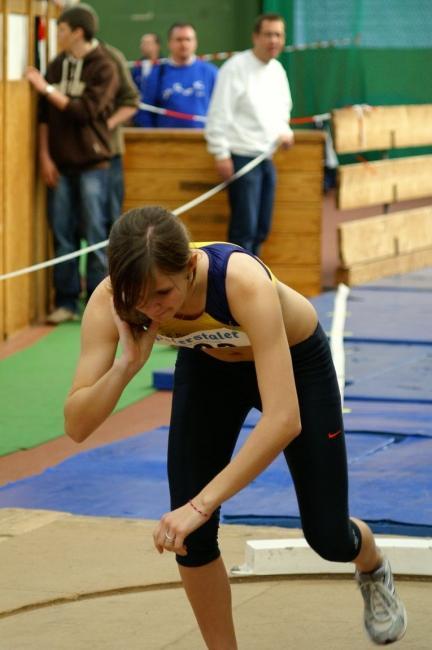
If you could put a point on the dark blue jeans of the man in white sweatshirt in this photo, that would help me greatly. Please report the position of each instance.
(251, 201)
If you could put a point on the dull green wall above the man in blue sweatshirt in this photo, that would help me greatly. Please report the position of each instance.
(222, 25)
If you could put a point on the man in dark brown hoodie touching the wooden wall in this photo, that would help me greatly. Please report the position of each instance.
(77, 98)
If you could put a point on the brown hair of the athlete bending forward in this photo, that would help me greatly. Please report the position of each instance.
(143, 241)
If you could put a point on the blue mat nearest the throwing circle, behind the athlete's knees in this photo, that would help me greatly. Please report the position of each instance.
(128, 479)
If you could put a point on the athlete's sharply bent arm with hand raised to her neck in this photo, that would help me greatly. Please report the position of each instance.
(100, 376)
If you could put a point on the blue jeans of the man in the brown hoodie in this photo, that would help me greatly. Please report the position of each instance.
(78, 205)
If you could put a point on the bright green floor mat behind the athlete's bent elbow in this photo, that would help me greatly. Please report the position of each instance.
(35, 382)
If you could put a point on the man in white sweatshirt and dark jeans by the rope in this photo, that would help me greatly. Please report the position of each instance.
(250, 111)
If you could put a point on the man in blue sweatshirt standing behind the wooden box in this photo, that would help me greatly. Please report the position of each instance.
(183, 83)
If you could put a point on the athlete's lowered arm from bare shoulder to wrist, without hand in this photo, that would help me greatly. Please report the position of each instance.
(256, 307)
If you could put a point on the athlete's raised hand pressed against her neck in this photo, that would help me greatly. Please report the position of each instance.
(136, 347)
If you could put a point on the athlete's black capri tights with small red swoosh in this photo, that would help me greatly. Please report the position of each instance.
(210, 403)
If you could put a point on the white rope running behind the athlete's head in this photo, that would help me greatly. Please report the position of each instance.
(180, 210)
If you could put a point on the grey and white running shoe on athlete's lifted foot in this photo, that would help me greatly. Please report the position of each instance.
(385, 618)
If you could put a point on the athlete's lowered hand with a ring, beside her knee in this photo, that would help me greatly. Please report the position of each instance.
(175, 526)
